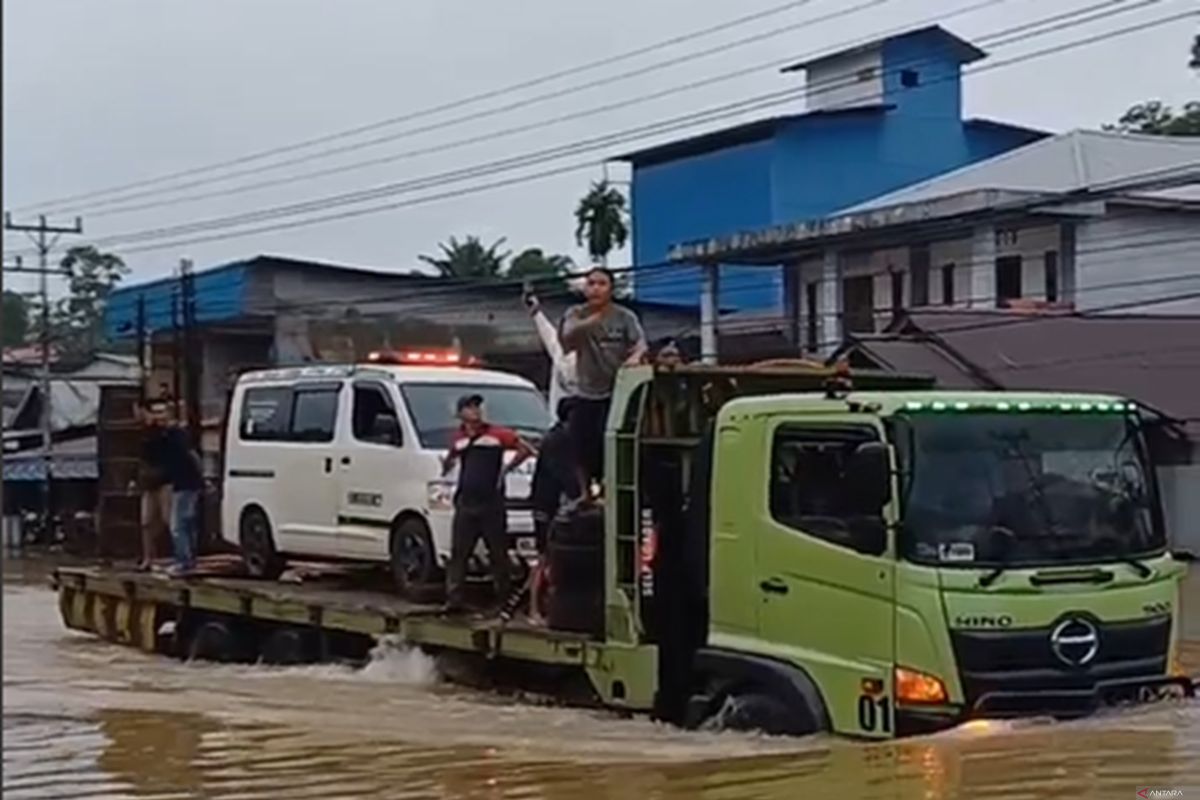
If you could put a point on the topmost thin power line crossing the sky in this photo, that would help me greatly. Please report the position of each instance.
(443, 107)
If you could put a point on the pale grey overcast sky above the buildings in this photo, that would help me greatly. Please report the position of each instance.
(105, 93)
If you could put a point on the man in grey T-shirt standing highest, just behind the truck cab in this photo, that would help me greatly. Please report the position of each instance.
(605, 336)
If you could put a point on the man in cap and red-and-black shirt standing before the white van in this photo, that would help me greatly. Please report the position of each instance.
(479, 509)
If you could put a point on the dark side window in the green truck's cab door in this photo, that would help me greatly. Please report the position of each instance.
(809, 491)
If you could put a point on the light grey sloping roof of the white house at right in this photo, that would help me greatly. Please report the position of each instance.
(1069, 163)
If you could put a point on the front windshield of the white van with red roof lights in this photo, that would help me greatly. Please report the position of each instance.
(433, 407)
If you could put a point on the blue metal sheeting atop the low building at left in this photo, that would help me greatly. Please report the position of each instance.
(220, 297)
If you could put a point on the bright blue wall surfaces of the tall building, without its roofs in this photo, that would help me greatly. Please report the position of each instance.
(813, 166)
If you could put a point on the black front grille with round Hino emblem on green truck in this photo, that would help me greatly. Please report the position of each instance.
(1027, 661)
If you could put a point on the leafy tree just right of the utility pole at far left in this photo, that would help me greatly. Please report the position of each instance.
(77, 321)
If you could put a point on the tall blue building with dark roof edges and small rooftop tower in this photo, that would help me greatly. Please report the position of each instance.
(880, 117)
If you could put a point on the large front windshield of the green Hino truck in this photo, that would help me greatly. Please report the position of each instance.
(1025, 489)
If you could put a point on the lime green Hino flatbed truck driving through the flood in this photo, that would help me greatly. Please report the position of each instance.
(794, 549)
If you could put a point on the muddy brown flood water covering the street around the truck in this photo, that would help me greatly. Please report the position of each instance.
(86, 719)
